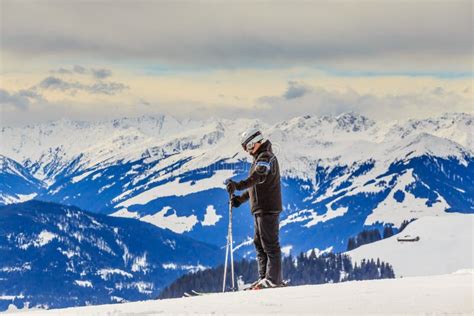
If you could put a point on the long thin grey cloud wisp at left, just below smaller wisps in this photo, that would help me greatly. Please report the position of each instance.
(108, 88)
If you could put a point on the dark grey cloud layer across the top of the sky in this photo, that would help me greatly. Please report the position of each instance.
(386, 34)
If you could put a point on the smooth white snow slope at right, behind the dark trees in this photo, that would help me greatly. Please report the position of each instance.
(445, 246)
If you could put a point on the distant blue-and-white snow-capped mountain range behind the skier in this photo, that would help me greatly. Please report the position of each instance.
(340, 174)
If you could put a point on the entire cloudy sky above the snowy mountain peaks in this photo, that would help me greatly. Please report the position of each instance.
(268, 59)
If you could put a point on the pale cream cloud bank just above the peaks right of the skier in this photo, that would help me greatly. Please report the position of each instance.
(321, 101)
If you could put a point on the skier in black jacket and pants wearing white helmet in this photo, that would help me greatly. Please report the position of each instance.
(262, 188)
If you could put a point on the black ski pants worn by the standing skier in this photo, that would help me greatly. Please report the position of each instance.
(267, 244)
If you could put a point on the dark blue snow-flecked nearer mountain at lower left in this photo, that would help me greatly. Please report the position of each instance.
(55, 256)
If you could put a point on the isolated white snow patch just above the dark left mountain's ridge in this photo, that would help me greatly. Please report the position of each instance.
(173, 222)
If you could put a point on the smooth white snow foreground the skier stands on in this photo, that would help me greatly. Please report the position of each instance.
(443, 294)
